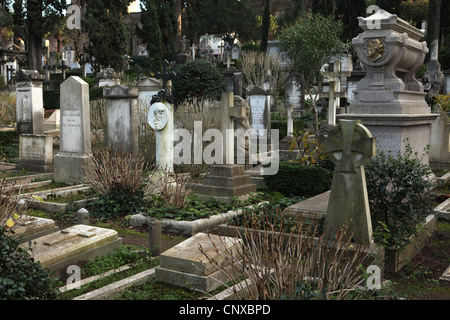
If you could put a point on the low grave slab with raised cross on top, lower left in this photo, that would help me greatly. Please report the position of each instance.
(71, 245)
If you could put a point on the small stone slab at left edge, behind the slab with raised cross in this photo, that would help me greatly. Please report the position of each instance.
(29, 228)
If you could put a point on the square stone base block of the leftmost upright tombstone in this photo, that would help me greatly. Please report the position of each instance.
(35, 152)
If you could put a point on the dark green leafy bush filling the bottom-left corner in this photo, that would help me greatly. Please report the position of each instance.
(21, 278)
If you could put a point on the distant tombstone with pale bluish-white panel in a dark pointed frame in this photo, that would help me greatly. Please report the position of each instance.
(259, 102)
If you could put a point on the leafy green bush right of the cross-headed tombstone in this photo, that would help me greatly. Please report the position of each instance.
(399, 196)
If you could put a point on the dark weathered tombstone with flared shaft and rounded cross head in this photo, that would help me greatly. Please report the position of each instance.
(349, 146)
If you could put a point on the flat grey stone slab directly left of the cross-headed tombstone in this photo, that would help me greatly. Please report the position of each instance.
(315, 207)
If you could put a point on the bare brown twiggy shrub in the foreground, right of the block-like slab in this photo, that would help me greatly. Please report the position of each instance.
(298, 262)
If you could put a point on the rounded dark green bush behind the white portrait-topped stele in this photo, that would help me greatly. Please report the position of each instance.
(198, 79)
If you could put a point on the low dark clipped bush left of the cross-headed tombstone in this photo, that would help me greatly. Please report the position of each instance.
(297, 180)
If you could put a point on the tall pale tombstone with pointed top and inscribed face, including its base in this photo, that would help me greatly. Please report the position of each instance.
(75, 132)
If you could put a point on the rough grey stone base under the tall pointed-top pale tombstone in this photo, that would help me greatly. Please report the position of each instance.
(68, 168)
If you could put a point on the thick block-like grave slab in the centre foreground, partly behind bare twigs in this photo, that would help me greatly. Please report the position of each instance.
(186, 266)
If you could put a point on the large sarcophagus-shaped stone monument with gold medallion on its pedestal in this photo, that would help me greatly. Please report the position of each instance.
(389, 100)
